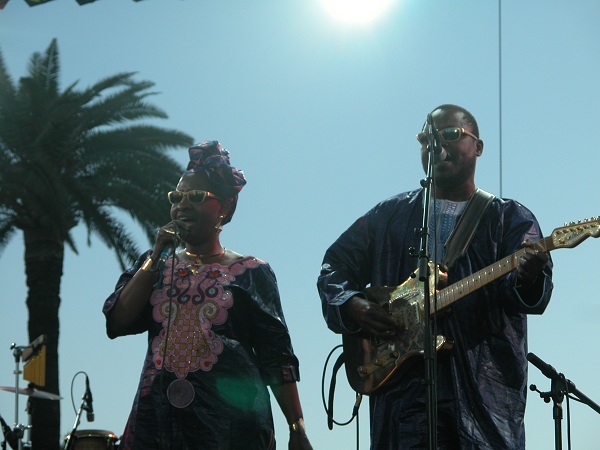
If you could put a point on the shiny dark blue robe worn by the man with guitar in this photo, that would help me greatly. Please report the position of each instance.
(482, 381)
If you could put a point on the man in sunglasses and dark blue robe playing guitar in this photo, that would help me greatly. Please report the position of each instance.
(481, 382)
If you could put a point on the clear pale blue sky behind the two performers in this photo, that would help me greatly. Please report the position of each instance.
(321, 114)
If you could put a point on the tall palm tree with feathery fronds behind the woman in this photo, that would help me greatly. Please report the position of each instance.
(72, 156)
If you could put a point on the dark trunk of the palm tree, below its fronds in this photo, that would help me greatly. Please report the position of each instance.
(44, 255)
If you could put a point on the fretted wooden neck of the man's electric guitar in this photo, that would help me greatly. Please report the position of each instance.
(458, 290)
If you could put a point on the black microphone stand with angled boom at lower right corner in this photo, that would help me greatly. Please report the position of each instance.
(559, 386)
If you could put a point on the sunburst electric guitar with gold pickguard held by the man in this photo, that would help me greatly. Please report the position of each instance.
(371, 362)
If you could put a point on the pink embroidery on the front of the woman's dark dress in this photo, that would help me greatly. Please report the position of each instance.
(199, 301)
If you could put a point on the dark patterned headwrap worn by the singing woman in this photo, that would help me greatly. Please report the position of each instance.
(212, 160)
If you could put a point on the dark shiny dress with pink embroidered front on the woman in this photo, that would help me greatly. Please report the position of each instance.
(216, 338)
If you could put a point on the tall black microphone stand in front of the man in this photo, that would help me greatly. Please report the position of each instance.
(424, 276)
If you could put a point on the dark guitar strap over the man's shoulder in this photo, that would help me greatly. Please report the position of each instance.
(463, 232)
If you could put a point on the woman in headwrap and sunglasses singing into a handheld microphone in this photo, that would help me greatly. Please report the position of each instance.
(217, 335)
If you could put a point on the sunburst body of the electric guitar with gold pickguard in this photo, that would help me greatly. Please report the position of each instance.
(371, 362)
